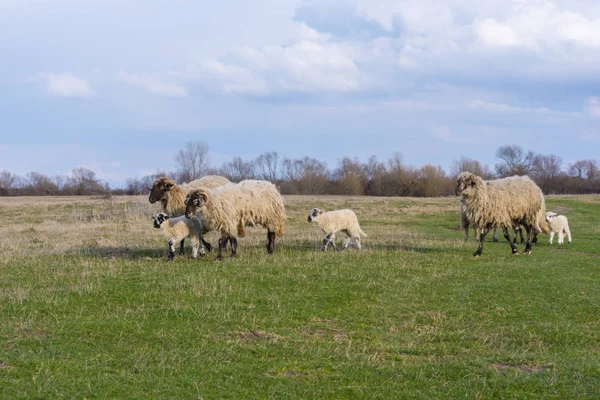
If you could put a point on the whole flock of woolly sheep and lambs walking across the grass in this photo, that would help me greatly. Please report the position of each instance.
(214, 203)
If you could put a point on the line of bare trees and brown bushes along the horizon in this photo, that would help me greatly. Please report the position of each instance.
(311, 176)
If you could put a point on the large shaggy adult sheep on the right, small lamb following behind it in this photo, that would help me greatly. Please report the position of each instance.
(515, 201)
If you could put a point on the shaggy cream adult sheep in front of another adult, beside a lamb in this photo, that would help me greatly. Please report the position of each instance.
(231, 208)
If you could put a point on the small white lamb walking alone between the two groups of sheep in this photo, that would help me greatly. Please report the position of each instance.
(332, 222)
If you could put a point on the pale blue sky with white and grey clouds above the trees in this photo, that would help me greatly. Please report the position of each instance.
(119, 86)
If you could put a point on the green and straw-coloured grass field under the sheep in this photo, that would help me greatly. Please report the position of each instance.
(90, 308)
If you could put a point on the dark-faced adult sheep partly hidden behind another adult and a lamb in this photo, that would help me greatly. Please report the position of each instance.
(172, 196)
